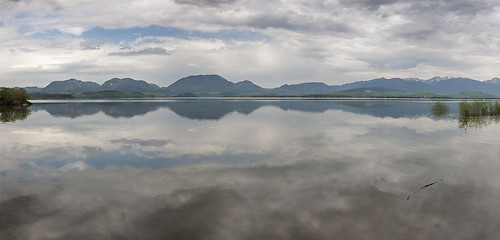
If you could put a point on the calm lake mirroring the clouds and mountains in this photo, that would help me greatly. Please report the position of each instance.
(247, 169)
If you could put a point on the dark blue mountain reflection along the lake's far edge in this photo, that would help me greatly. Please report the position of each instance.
(217, 109)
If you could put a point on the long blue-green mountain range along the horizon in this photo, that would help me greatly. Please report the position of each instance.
(215, 85)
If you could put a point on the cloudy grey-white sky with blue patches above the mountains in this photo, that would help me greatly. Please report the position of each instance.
(269, 42)
